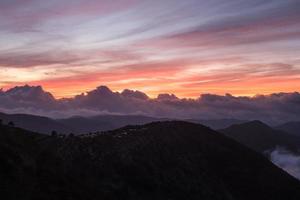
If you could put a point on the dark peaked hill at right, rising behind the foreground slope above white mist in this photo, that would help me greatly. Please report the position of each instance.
(261, 137)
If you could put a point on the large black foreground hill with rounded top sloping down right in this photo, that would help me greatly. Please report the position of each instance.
(161, 160)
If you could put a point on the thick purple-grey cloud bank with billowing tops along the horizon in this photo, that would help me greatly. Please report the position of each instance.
(274, 108)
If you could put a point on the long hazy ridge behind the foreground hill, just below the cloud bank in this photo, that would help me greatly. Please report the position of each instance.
(80, 124)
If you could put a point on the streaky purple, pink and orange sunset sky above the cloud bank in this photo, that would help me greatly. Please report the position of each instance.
(187, 48)
